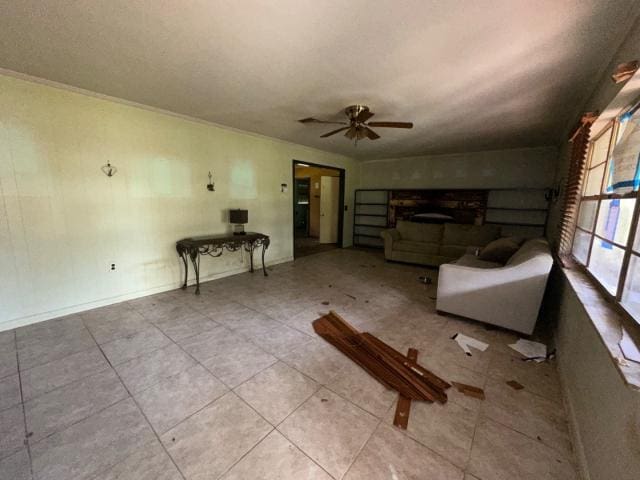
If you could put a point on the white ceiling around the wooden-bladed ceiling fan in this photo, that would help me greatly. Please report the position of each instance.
(472, 75)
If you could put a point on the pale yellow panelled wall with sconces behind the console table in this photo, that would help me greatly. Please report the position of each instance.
(63, 222)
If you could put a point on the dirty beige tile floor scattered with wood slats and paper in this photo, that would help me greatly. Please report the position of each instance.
(234, 384)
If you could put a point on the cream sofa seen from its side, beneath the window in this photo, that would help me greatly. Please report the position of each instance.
(508, 296)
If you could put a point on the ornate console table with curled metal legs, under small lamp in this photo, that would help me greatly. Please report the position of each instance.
(214, 246)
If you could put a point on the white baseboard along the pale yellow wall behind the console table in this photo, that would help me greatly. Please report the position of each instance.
(103, 302)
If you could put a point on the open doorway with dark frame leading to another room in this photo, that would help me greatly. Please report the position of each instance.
(318, 212)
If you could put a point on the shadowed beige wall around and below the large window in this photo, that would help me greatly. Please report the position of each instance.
(605, 411)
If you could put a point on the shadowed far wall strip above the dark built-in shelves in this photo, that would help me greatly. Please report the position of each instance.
(517, 168)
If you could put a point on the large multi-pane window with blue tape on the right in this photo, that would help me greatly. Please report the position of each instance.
(607, 235)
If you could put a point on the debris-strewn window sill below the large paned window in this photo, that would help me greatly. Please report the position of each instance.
(607, 323)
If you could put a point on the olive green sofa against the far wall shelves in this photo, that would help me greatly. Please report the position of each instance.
(433, 244)
